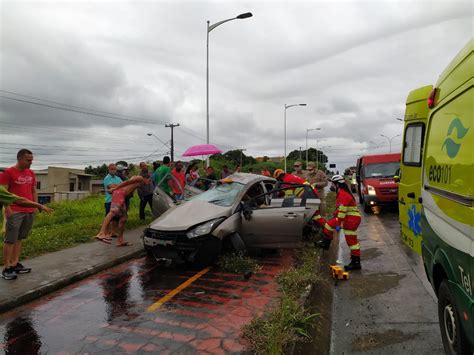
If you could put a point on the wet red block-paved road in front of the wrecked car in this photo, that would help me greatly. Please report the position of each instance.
(109, 311)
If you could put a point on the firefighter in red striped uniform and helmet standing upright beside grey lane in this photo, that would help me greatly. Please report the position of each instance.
(346, 217)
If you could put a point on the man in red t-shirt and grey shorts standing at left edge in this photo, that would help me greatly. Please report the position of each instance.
(21, 181)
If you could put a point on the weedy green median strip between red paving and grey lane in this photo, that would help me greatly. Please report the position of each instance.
(290, 320)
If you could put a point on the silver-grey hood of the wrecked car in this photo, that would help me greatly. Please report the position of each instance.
(189, 214)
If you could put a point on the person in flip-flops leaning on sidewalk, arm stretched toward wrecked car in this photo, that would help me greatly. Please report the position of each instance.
(119, 209)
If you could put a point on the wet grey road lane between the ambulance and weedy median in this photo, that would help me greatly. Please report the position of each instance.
(387, 307)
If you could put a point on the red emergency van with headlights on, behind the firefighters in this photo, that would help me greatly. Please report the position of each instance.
(375, 178)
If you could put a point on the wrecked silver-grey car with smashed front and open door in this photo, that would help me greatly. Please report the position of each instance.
(241, 212)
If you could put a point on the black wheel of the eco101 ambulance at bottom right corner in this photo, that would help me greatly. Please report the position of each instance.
(454, 340)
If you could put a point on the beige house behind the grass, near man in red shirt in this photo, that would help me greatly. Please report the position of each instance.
(58, 183)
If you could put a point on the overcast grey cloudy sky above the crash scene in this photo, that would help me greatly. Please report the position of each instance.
(142, 64)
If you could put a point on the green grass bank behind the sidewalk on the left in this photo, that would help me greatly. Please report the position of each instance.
(72, 223)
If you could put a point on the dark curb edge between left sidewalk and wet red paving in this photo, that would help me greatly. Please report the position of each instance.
(64, 281)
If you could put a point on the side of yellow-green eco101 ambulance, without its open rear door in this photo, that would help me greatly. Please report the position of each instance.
(447, 195)
